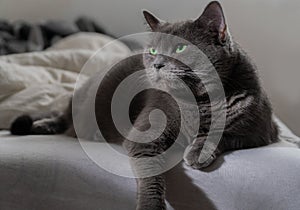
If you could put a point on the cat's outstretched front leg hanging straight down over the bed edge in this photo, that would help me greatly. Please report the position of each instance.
(146, 149)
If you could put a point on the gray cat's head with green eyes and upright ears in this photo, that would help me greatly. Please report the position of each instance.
(209, 33)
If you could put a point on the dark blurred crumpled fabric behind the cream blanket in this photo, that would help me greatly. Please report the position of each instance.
(20, 37)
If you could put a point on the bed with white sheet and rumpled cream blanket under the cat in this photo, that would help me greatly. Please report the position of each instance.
(54, 172)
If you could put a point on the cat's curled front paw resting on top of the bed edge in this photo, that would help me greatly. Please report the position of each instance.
(199, 158)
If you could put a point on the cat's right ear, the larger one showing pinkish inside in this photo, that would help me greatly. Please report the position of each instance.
(214, 19)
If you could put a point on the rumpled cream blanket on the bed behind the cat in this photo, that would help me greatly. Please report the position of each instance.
(39, 82)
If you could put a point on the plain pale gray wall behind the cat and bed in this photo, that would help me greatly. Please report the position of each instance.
(268, 29)
